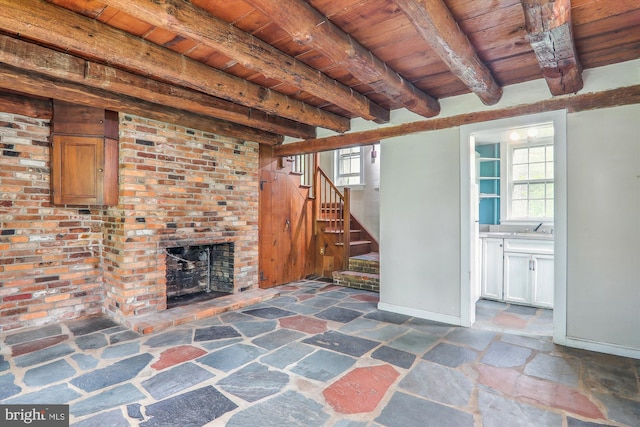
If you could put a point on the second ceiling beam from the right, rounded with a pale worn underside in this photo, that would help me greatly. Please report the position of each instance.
(434, 22)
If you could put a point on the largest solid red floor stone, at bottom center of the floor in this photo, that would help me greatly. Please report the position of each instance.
(361, 390)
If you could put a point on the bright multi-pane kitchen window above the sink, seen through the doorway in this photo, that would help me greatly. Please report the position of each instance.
(531, 181)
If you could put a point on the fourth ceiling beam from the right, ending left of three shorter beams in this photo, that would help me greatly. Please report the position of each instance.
(189, 21)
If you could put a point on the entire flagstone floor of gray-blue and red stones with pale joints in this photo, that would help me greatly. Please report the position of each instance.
(320, 355)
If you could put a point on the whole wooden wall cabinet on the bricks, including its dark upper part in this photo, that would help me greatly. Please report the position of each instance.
(84, 155)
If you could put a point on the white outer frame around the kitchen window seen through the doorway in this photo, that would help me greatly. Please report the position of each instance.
(507, 184)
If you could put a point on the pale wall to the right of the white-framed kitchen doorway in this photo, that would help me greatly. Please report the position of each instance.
(603, 215)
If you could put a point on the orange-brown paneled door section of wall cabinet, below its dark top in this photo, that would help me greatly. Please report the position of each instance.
(84, 170)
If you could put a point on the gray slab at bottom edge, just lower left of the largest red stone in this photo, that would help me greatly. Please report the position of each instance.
(289, 409)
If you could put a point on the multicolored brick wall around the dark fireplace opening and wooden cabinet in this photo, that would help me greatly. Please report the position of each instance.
(178, 187)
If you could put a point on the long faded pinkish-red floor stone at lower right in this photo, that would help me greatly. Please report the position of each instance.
(537, 391)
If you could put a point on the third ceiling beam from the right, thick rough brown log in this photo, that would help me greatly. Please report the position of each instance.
(310, 28)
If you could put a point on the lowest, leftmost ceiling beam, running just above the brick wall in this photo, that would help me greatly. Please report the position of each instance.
(38, 85)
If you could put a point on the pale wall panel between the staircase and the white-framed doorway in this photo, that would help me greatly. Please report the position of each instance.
(420, 225)
